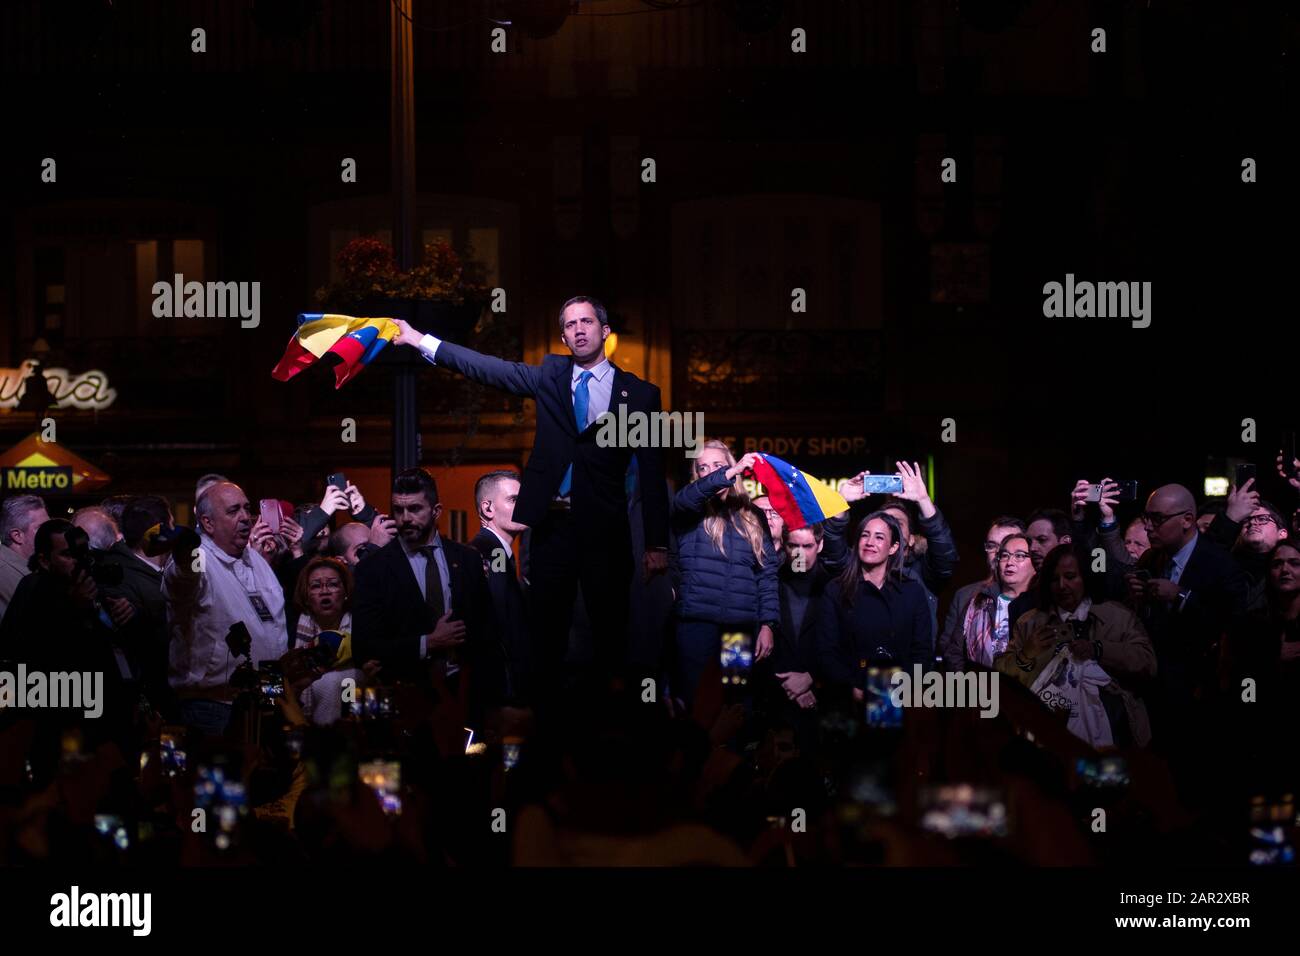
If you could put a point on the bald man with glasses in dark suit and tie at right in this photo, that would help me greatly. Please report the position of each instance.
(1188, 590)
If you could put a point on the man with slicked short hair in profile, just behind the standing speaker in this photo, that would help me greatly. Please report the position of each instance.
(496, 495)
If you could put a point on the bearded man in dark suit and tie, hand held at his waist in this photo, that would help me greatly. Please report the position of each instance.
(422, 600)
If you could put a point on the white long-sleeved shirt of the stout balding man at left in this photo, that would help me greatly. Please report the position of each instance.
(202, 607)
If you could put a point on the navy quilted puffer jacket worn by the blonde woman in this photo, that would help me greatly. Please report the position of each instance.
(729, 589)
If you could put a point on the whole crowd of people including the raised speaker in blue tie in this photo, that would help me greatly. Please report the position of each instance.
(335, 682)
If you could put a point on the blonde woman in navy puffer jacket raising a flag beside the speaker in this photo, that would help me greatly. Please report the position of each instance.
(723, 565)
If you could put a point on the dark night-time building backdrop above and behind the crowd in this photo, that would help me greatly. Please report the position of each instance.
(775, 171)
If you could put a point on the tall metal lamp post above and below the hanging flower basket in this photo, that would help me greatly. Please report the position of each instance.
(406, 416)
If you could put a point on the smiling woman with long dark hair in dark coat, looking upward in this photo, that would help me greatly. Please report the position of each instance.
(874, 615)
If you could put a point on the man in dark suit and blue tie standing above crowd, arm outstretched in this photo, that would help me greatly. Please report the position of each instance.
(573, 494)
